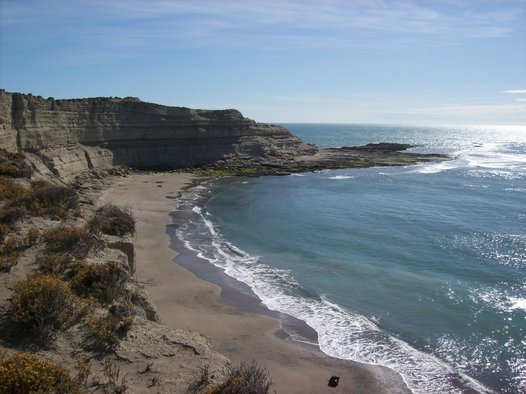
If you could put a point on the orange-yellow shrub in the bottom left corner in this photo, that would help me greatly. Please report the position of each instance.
(25, 373)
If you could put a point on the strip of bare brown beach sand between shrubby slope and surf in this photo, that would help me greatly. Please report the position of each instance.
(184, 301)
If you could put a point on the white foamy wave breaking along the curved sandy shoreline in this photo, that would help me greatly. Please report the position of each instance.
(341, 333)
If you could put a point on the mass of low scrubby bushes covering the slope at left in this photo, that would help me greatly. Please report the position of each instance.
(68, 293)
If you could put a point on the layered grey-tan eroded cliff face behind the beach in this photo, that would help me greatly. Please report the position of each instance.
(68, 137)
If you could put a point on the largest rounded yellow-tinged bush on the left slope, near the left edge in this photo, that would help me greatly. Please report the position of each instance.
(42, 305)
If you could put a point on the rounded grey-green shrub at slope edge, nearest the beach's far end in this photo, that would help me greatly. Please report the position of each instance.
(113, 220)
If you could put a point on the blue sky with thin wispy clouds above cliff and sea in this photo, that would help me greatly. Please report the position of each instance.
(322, 61)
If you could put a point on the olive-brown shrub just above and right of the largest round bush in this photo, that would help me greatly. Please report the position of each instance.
(105, 282)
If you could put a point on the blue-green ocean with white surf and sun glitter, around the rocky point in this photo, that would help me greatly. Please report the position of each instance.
(421, 269)
